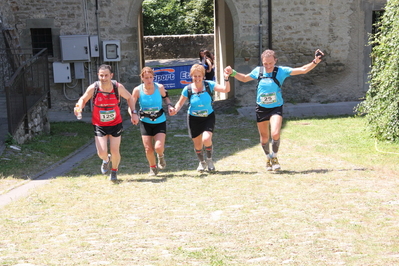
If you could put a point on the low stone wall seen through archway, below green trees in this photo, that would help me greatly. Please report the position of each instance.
(176, 46)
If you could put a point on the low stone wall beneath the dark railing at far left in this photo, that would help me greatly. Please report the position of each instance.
(38, 124)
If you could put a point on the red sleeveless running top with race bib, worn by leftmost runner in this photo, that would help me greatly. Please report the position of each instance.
(106, 111)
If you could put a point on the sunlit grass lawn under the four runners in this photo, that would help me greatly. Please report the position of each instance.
(335, 202)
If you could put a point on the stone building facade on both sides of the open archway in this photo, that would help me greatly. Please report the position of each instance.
(243, 29)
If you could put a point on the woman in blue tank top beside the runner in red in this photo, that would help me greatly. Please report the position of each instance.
(152, 118)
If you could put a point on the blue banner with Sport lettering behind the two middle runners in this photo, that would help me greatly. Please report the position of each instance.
(173, 77)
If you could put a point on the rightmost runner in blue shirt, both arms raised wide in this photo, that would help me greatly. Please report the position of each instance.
(269, 100)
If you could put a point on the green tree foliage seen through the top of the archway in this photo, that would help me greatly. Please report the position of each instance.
(177, 17)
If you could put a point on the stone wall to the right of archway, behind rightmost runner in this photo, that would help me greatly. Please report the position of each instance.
(339, 28)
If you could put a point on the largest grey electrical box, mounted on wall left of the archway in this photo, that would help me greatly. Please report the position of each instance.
(75, 48)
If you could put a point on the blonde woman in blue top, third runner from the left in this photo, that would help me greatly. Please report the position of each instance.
(200, 114)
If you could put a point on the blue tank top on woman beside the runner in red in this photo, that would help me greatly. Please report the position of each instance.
(151, 103)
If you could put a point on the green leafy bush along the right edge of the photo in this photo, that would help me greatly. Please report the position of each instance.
(381, 106)
